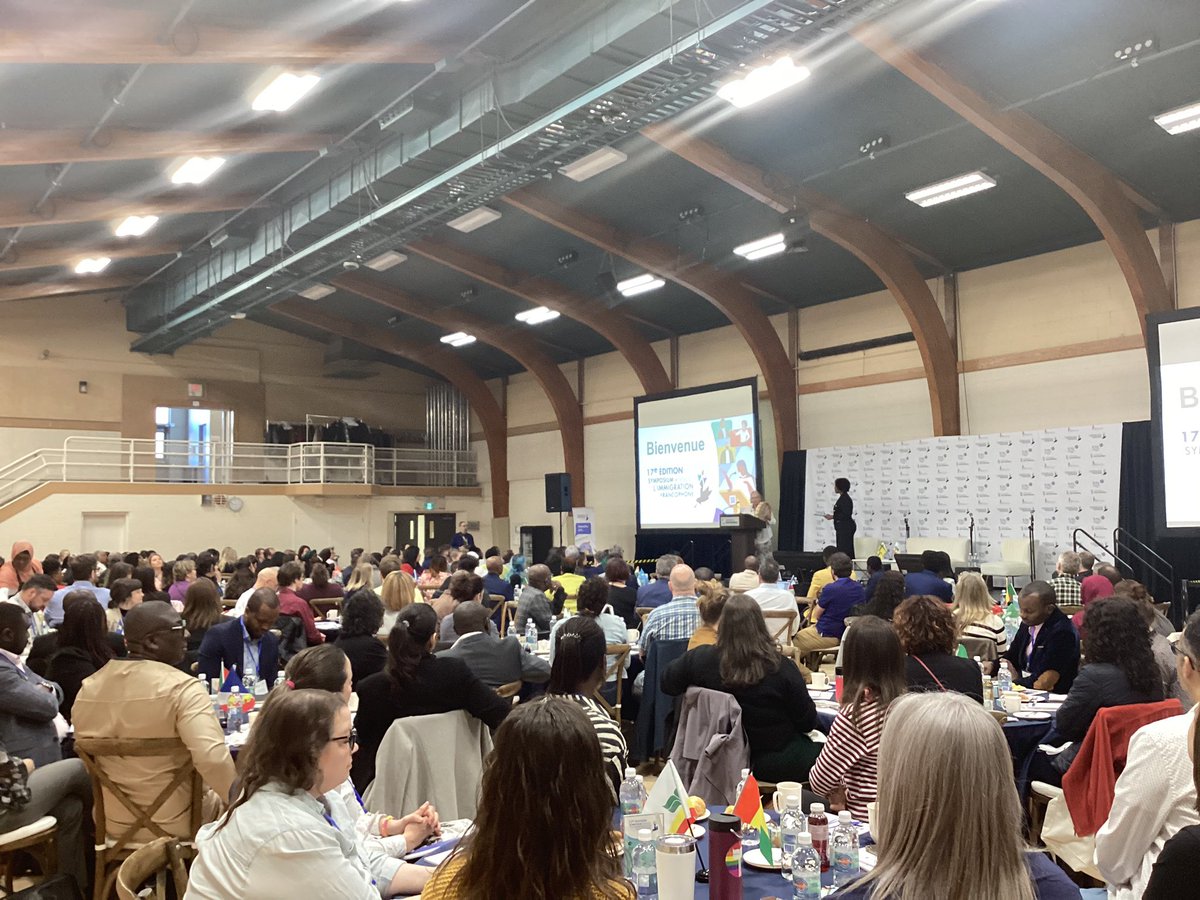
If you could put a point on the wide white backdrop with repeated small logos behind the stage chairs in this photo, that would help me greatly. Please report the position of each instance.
(1067, 478)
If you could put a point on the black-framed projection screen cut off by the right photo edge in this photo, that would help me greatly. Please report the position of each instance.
(1174, 351)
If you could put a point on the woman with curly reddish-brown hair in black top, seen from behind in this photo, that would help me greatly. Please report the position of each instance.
(927, 633)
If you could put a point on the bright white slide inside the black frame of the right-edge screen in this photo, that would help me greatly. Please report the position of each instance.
(1179, 417)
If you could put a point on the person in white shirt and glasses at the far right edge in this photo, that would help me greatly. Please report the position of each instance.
(1156, 793)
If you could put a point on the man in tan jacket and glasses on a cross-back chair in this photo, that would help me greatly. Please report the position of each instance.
(147, 697)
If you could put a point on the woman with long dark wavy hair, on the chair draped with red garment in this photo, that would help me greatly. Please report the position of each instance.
(1120, 671)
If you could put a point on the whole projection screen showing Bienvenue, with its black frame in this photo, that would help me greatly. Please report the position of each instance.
(698, 455)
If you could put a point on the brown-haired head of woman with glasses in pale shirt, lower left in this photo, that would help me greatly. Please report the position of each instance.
(287, 742)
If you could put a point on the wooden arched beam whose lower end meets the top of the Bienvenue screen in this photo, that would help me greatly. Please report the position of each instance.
(611, 325)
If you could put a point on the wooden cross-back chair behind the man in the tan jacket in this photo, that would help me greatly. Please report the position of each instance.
(111, 850)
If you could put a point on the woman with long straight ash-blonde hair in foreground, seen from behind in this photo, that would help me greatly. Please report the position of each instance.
(949, 819)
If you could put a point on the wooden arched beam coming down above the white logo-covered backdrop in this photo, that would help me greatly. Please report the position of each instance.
(884, 255)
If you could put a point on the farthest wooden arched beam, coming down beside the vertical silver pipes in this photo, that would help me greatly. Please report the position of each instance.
(446, 364)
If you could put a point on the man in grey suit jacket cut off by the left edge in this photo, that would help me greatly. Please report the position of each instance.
(29, 704)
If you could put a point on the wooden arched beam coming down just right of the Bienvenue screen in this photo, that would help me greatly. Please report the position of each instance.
(725, 292)
